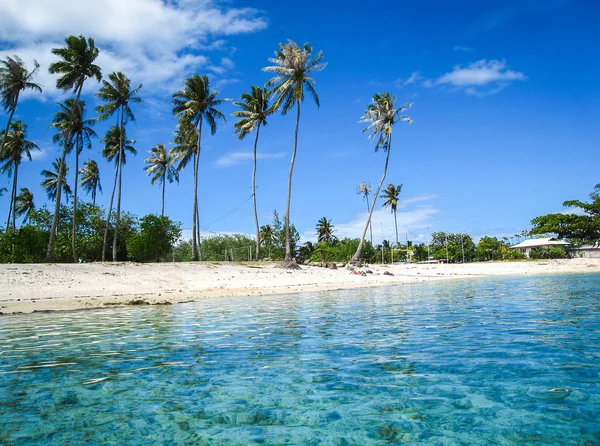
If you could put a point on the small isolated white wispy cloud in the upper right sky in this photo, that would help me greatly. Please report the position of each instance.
(480, 78)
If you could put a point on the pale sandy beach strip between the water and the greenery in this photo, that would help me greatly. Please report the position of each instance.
(48, 287)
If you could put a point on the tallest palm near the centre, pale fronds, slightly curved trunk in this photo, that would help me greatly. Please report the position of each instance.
(292, 70)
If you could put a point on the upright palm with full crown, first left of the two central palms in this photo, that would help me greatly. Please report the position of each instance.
(195, 103)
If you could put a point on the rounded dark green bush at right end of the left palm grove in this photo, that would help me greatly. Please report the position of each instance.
(154, 240)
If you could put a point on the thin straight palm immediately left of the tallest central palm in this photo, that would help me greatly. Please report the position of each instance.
(253, 114)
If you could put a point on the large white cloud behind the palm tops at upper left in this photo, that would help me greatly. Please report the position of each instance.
(155, 42)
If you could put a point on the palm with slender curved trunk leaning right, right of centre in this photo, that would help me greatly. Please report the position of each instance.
(381, 116)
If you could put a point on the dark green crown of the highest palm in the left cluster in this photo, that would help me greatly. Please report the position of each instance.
(76, 64)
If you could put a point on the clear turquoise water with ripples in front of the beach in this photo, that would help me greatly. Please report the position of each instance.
(486, 361)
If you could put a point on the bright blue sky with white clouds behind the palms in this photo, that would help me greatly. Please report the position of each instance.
(506, 103)
